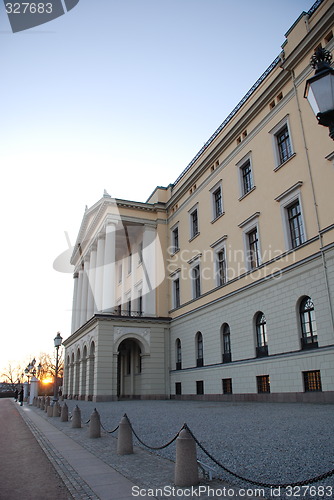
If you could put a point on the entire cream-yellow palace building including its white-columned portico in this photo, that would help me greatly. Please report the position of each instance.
(221, 285)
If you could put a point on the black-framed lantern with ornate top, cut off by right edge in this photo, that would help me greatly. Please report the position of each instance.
(319, 89)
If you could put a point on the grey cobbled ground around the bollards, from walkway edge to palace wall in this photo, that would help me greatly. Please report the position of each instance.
(266, 442)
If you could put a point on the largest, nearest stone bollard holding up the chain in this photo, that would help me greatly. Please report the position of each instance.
(186, 468)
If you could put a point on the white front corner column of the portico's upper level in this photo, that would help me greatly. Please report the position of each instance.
(108, 300)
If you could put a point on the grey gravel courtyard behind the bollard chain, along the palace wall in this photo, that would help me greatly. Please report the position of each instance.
(267, 442)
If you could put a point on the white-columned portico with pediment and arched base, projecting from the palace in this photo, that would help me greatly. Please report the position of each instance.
(119, 342)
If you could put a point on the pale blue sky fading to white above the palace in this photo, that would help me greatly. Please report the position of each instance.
(117, 95)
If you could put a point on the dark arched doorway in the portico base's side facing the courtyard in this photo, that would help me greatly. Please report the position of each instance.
(129, 369)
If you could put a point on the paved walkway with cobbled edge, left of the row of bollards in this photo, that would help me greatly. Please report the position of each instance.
(81, 464)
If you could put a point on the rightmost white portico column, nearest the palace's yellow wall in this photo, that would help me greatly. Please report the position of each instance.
(149, 271)
